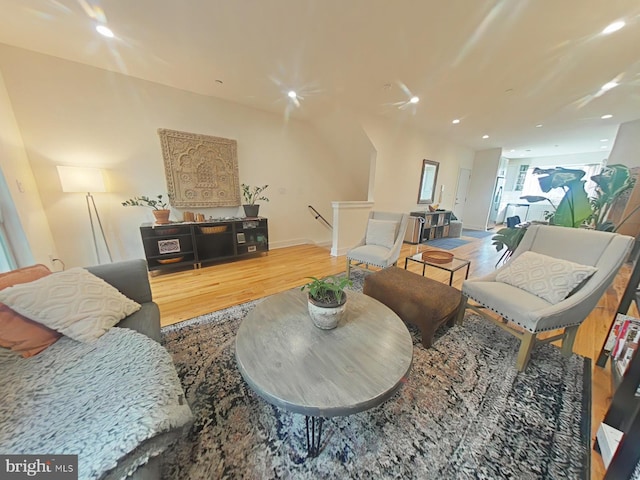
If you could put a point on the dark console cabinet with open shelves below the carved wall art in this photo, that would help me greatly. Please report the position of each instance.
(185, 244)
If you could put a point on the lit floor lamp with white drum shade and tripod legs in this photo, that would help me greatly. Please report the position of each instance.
(86, 179)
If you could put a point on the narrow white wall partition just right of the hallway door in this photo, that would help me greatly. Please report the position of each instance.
(483, 177)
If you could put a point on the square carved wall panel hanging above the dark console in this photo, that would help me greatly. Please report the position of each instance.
(201, 170)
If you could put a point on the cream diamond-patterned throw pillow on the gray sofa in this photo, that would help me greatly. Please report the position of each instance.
(74, 302)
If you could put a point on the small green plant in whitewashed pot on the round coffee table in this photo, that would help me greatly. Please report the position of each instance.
(327, 300)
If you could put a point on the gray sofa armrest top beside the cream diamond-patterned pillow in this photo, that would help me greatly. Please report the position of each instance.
(130, 277)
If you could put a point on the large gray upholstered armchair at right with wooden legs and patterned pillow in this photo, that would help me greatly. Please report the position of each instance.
(552, 281)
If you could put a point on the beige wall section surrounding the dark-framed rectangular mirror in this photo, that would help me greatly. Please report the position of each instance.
(398, 164)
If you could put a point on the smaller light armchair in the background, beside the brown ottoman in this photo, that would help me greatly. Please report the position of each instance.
(381, 243)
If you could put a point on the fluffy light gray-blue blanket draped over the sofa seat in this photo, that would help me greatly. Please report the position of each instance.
(113, 402)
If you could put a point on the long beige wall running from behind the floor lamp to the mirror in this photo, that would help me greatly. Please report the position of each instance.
(71, 114)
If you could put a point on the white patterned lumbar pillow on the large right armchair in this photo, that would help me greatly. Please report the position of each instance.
(552, 279)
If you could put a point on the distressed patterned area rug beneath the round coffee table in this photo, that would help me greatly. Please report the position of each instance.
(463, 413)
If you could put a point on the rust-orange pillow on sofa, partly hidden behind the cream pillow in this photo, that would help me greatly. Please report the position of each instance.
(18, 333)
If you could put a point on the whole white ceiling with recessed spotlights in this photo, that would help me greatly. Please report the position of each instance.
(500, 66)
